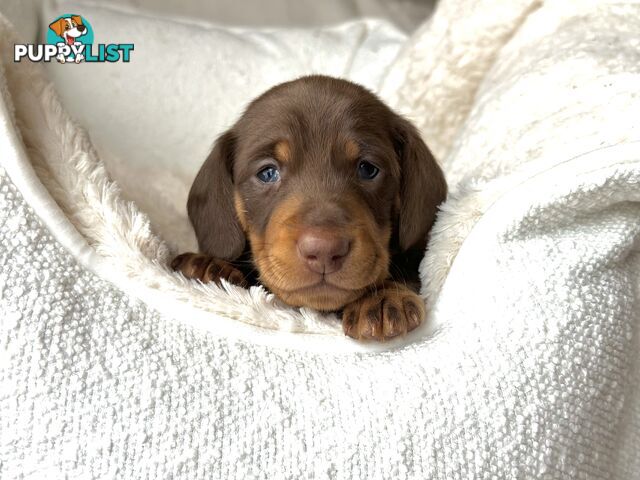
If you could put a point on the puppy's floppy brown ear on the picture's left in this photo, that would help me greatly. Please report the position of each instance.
(210, 204)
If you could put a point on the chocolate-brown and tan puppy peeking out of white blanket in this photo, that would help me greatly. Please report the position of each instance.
(325, 196)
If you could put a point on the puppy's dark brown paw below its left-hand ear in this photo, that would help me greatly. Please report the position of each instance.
(207, 269)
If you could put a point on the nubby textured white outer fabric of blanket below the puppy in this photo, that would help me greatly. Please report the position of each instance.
(529, 378)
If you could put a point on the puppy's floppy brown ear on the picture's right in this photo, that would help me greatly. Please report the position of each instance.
(422, 186)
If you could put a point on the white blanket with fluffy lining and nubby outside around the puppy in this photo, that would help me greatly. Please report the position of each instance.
(529, 366)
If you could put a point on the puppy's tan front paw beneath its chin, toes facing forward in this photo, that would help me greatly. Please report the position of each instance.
(390, 311)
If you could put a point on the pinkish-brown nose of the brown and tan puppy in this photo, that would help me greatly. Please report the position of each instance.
(322, 251)
